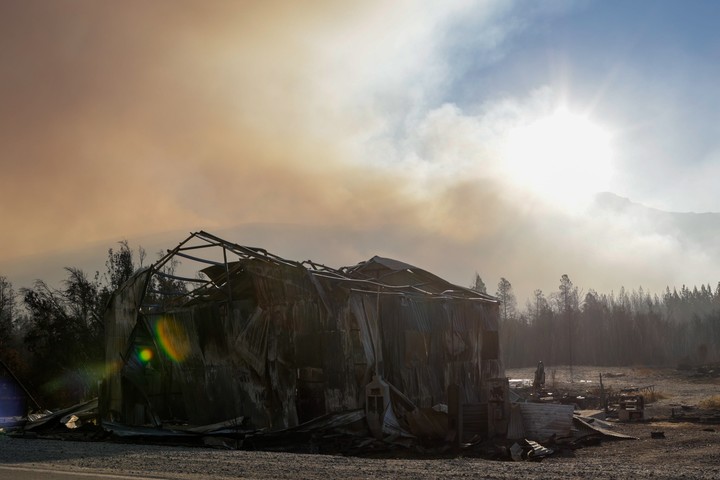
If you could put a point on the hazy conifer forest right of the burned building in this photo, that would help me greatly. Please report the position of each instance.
(569, 327)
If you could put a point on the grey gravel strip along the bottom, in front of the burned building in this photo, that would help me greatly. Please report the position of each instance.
(687, 452)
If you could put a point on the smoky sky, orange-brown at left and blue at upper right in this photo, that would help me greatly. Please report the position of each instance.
(458, 136)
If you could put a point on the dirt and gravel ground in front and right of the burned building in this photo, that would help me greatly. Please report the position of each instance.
(690, 448)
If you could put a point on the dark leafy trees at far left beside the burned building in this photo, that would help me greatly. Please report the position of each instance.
(53, 338)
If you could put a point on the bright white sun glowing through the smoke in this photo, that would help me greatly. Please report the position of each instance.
(562, 157)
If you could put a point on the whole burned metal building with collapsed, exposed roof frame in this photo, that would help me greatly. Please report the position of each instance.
(217, 332)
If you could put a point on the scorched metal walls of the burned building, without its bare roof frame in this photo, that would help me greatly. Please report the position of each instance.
(281, 346)
